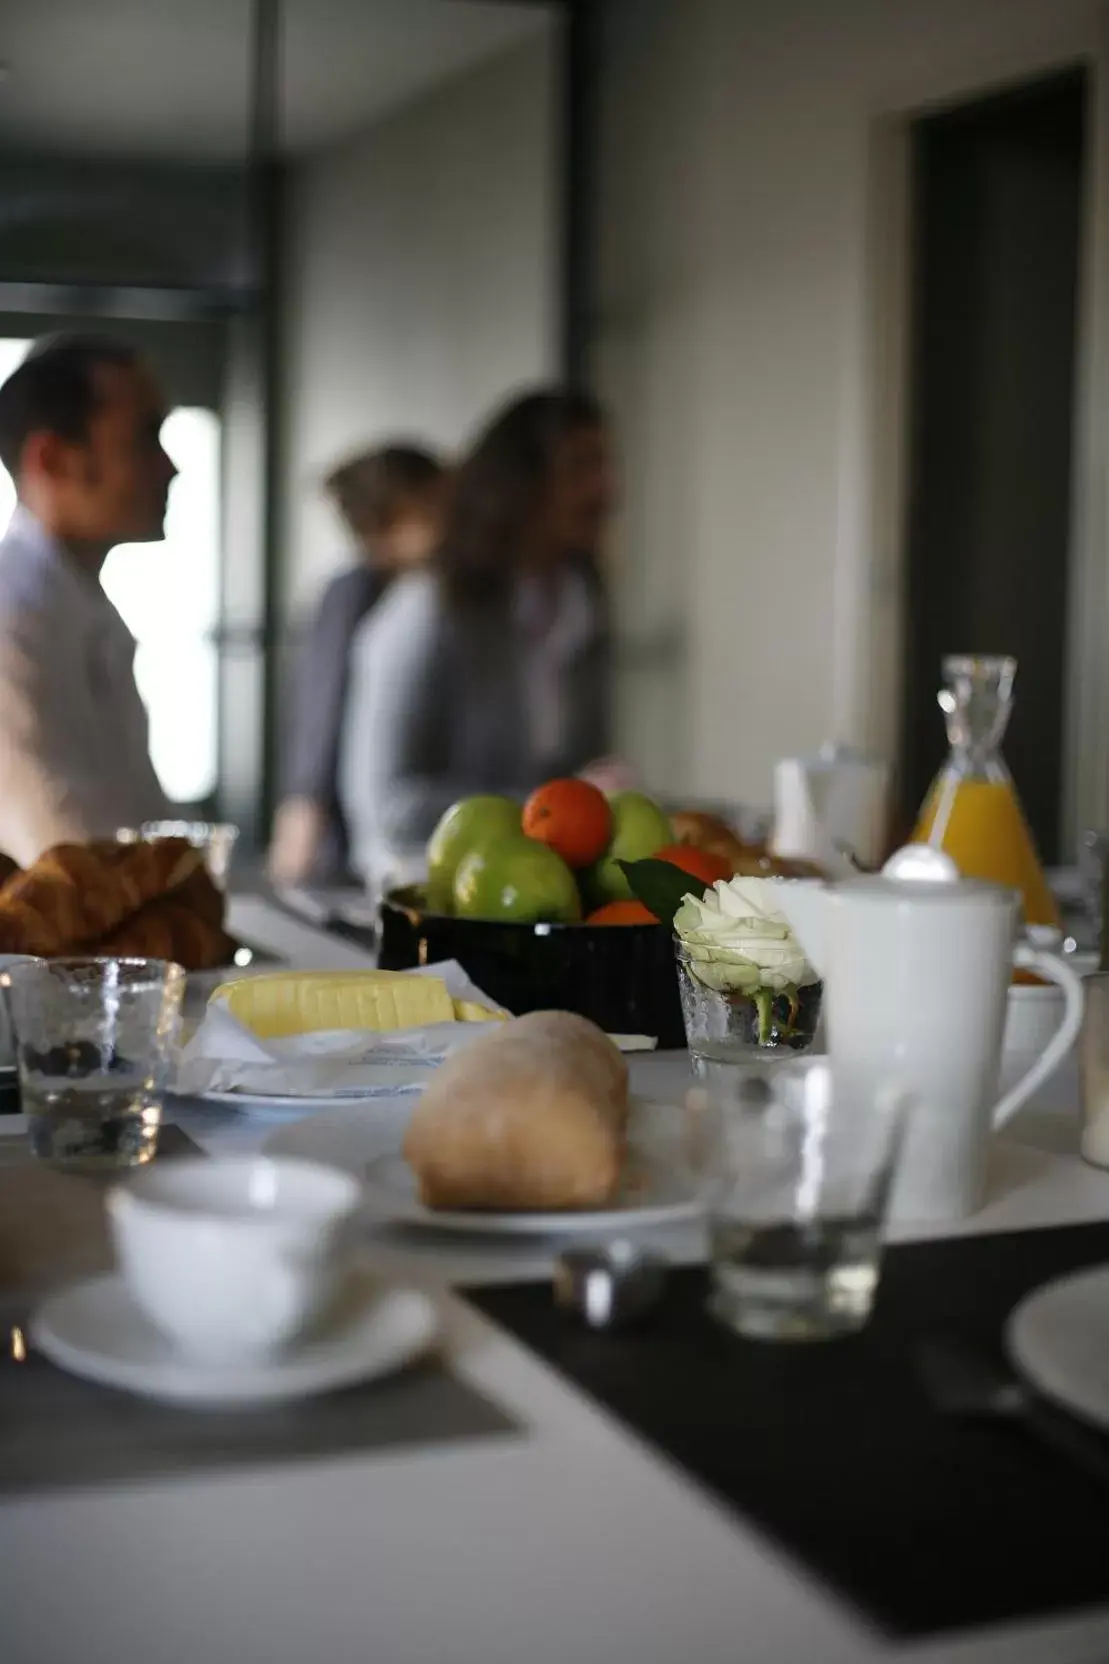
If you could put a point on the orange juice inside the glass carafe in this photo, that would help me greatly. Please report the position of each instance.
(988, 838)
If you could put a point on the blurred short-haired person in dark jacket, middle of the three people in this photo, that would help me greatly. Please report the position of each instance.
(392, 503)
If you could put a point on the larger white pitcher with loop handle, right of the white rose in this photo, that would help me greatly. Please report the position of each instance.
(917, 979)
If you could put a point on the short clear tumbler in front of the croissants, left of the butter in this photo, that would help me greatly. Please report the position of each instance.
(94, 1044)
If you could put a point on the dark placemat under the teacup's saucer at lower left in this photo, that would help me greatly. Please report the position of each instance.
(61, 1432)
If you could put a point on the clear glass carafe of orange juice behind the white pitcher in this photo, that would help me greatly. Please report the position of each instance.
(973, 811)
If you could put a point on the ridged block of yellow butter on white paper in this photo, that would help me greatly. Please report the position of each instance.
(292, 1003)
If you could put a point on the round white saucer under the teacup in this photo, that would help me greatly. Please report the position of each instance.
(96, 1330)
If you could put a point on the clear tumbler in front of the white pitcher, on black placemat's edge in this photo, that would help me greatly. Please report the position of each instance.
(795, 1172)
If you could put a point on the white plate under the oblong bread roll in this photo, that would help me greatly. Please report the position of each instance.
(367, 1141)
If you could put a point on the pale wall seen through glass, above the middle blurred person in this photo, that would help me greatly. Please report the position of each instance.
(422, 282)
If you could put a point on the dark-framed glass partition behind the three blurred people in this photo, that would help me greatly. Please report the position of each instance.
(281, 204)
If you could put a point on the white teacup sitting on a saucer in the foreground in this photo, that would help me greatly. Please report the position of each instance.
(232, 1259)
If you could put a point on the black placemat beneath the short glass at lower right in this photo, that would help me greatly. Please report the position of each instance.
(922, 1522)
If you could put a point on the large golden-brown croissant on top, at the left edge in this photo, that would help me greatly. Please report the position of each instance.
(77, 894)
